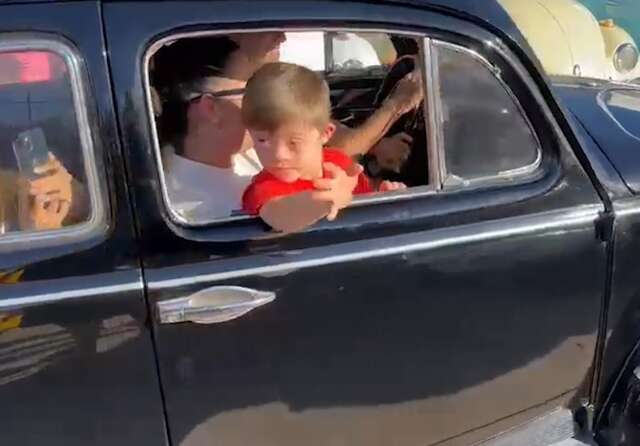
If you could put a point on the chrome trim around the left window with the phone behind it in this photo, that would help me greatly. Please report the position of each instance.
(95, 184)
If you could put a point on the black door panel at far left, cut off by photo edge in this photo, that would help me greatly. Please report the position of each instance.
(76, 360)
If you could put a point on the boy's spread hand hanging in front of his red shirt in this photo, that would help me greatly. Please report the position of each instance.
(337, 188)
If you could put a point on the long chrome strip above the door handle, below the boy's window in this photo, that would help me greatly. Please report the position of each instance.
(401, 244)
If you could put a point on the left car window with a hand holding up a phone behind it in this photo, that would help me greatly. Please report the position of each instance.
(45, 170)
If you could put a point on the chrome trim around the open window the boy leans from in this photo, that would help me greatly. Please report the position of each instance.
(155, 46)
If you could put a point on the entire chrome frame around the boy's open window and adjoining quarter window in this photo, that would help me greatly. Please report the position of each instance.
(431, 104)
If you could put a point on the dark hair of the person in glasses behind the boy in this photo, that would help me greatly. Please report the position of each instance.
(181, 70)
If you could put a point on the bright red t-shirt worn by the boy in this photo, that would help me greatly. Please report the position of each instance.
(265, 186)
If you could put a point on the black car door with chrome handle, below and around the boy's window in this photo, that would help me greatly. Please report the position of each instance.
(444, 317)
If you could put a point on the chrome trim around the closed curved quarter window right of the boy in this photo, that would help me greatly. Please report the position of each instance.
(523, 171)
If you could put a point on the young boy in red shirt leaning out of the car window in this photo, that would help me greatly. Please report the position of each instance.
(286, 109)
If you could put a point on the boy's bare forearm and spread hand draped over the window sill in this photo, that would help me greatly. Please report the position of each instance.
(296, 212)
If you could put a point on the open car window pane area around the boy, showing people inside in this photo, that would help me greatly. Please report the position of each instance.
(205, 169)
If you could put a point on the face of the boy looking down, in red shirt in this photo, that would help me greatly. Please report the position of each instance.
(293, 151)
